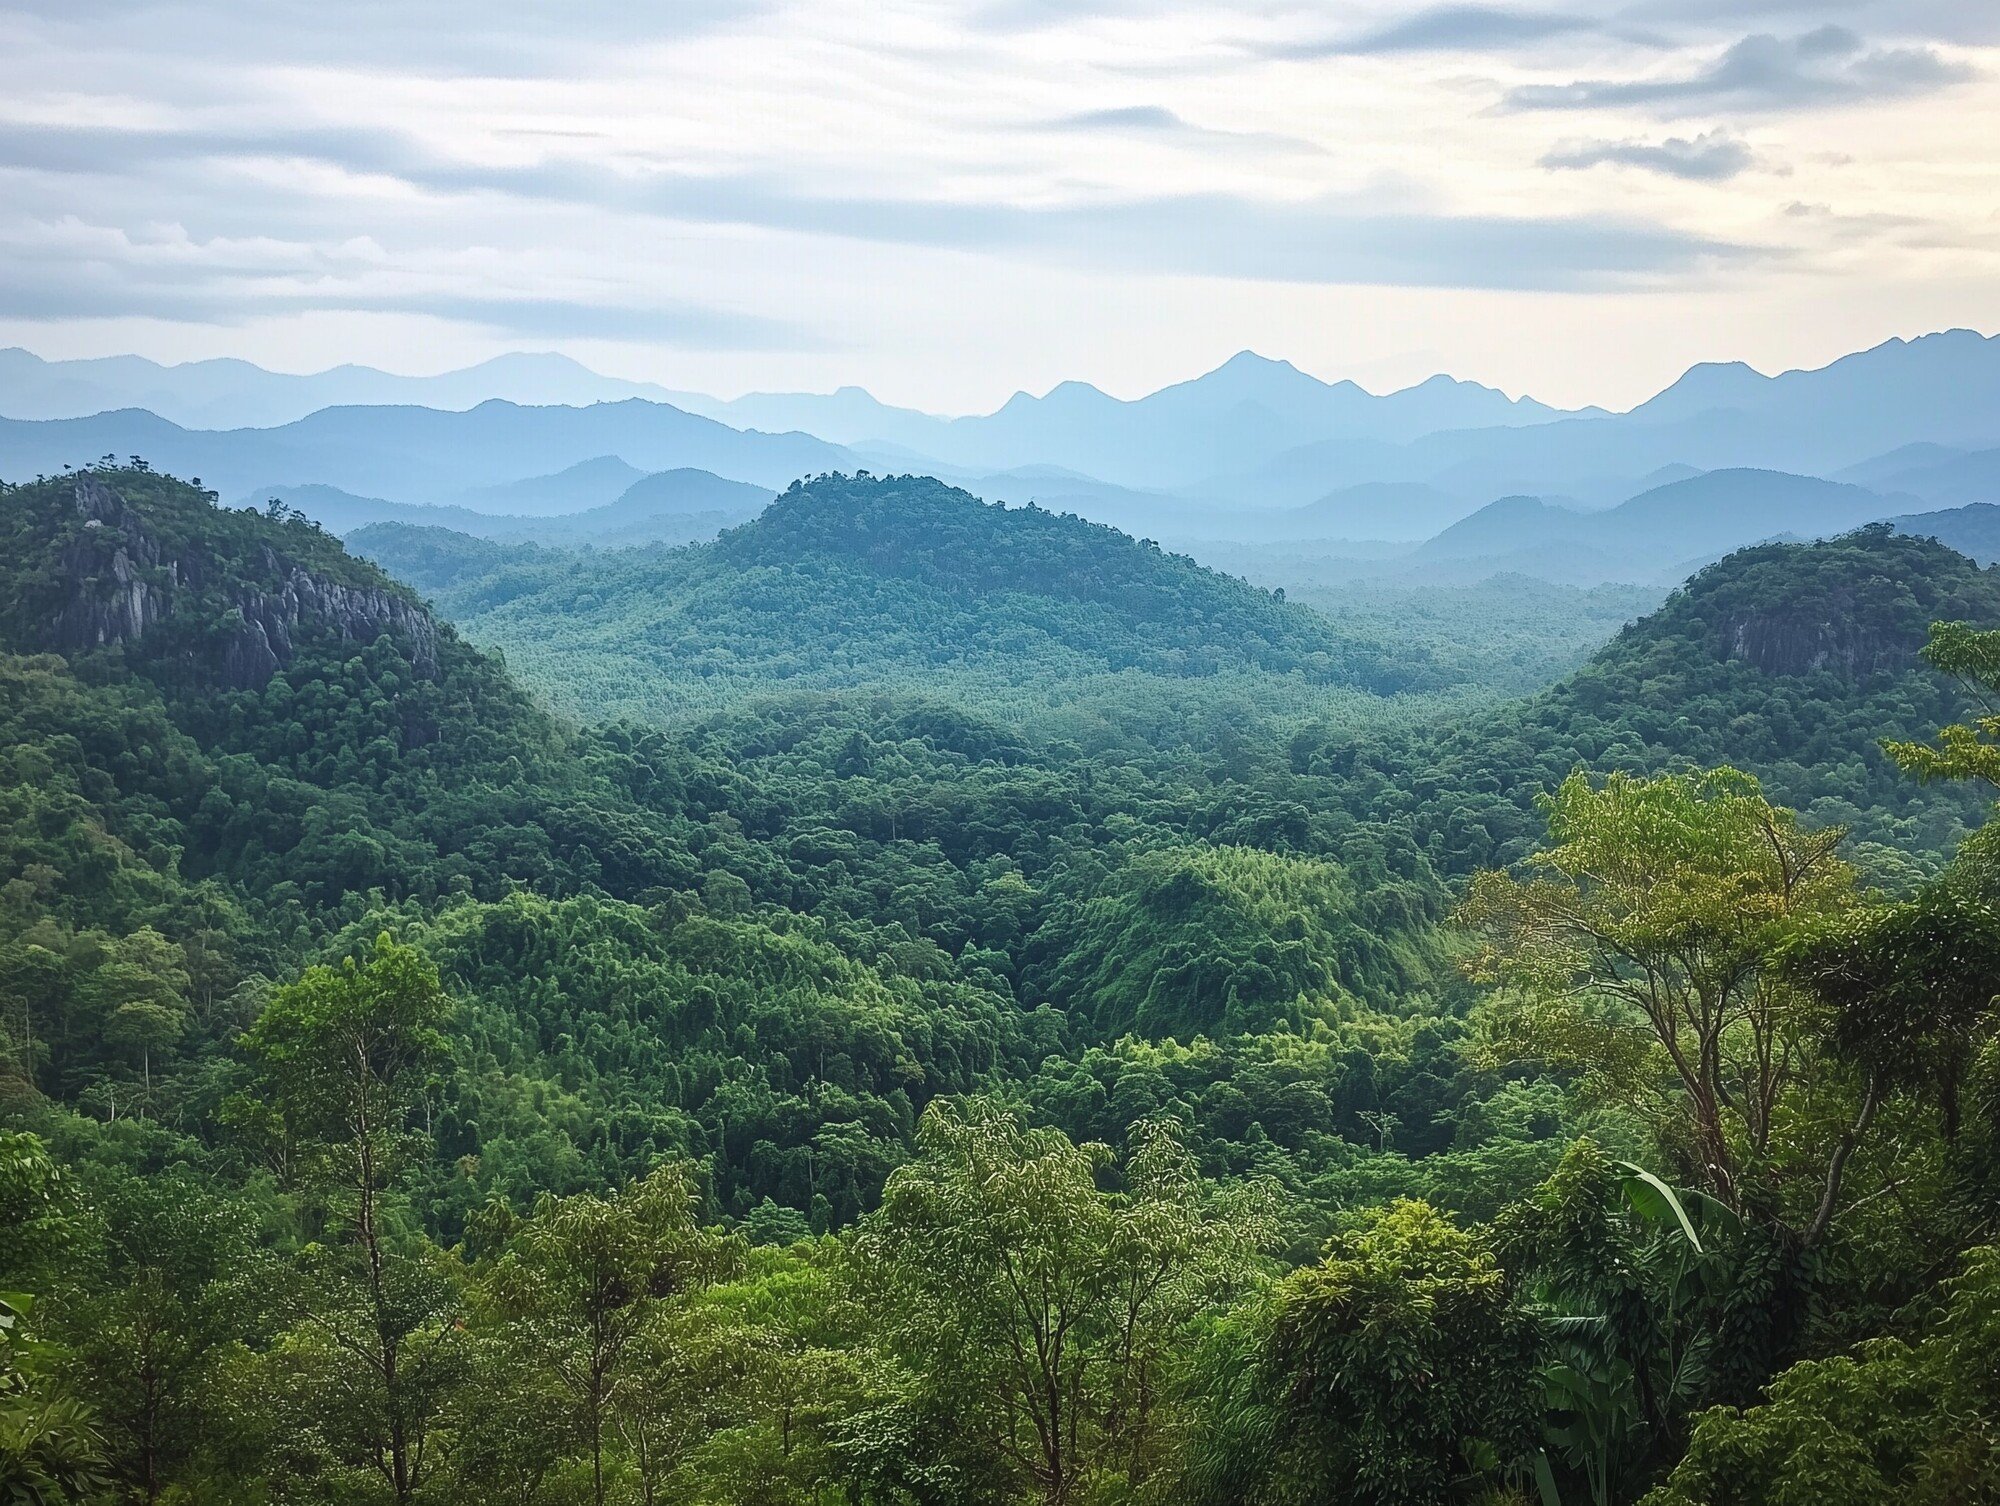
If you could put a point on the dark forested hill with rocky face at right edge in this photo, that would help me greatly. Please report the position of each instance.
(1789, 661)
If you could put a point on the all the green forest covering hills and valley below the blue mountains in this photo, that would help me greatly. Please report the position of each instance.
(1091, 1045)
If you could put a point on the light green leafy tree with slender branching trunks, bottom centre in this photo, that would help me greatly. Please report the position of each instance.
(1037, 1309)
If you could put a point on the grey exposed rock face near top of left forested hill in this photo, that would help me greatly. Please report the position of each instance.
(121, 589)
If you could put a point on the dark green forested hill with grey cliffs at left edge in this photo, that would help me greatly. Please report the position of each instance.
(241, 701)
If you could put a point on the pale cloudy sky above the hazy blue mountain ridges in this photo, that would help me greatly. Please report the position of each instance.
(951, 203)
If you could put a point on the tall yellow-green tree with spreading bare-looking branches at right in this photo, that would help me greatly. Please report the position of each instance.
(1641, 951)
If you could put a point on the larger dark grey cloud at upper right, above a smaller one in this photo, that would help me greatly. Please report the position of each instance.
(1765, 73)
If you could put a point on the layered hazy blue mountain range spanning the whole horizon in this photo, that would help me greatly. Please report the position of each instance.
(1253, 453)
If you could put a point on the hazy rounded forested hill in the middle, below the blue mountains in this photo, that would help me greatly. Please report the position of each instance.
(885, 583)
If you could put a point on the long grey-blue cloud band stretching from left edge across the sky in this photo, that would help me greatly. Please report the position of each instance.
(1223, 235)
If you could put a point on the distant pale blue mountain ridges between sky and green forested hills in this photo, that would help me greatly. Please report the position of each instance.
(1251, 451)
